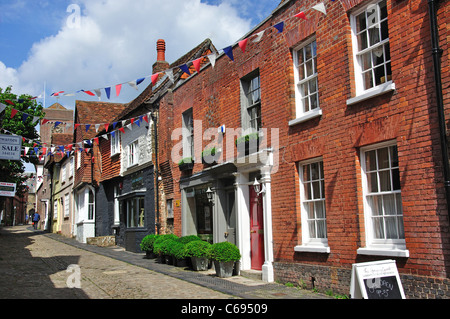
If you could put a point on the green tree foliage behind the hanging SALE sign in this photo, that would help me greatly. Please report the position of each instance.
(12, 171)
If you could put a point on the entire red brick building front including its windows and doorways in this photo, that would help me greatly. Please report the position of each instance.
(350, 162)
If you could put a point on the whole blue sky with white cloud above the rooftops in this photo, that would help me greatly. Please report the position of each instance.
(113, 42)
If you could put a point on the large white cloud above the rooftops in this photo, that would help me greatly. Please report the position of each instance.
(116, 42)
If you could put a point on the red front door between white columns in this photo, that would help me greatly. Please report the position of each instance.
(256, 230)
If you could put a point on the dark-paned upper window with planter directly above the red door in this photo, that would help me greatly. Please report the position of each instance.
(251, 102)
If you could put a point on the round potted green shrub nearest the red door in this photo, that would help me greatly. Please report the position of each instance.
(224, 255)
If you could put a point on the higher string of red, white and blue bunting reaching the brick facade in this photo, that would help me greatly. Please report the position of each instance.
(320, 7)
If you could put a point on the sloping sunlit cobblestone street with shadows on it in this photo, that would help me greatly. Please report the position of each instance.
(35, 264)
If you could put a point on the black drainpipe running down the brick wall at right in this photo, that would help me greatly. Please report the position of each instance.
(437, 53)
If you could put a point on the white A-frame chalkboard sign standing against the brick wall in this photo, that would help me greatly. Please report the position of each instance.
(376, 280)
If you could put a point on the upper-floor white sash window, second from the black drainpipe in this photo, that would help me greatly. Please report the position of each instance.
(306, 84)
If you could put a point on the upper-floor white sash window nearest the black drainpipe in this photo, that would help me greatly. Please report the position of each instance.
(371, 46)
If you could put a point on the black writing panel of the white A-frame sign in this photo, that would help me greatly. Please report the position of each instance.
(382, 288)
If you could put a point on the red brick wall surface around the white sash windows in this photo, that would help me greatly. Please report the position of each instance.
(407, 115)
